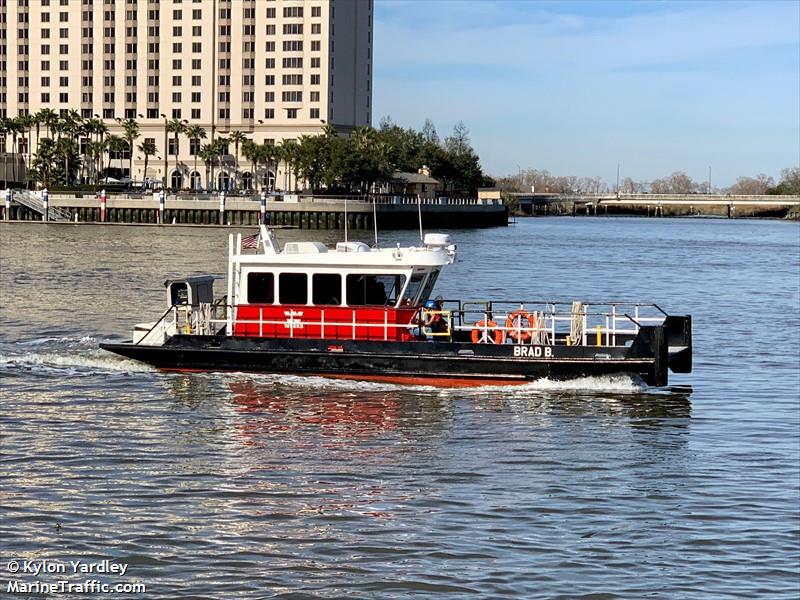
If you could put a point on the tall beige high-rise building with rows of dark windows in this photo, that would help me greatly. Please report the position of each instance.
(272, 69)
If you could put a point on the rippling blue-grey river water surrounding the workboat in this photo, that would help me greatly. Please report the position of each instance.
(235, 485)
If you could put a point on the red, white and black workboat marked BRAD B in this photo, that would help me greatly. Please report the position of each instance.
(369, 313)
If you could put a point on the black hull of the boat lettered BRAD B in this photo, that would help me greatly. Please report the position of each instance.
(437, 363)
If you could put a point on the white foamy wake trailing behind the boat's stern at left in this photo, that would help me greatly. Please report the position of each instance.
(64, 356)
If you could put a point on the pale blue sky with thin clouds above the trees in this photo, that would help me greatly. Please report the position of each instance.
(577, 88)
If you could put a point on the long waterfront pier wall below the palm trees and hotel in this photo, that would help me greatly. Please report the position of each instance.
(303, 212)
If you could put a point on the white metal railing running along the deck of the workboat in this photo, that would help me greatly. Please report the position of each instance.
(608, 324)
